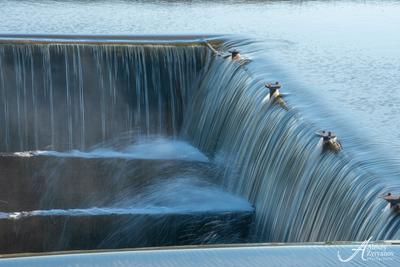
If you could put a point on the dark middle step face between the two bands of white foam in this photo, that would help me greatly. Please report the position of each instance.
(48, 182)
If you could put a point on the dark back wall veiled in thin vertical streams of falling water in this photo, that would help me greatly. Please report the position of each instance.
(68, 96)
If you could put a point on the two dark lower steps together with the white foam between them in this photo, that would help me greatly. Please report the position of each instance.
(53, 204)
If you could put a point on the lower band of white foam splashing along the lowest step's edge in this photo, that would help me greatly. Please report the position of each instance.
(185, 195)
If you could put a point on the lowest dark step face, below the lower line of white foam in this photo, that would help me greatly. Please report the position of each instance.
(50, 231)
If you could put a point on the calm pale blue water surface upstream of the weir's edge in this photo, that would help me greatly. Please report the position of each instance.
(344, 52)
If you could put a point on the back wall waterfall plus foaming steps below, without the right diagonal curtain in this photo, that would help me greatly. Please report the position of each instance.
(90, 149)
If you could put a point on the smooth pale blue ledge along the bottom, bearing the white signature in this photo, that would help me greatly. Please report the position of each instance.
(313, 255)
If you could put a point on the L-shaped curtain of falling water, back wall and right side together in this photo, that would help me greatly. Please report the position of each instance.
(64, 97)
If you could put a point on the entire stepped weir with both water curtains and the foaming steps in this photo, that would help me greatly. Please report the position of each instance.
(92, 104)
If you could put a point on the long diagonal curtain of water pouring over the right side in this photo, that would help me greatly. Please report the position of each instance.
(273, 158)
